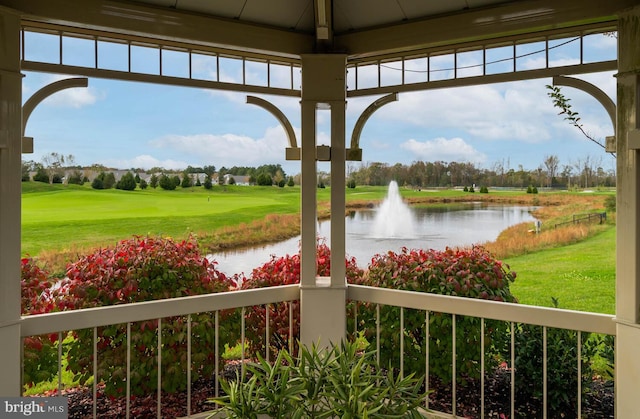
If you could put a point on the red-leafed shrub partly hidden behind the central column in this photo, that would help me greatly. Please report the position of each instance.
(284, 271)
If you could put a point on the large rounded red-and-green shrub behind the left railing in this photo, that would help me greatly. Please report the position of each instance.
(144, 269)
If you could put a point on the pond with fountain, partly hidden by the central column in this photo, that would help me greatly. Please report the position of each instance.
(372, 232)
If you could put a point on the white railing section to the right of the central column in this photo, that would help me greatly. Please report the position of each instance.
(547, 318)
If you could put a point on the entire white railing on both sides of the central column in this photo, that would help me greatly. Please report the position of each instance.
(62, 322)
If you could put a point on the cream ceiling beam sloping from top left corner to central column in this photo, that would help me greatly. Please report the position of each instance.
(167, 24)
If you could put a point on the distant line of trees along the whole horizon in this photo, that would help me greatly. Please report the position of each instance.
(586, 172)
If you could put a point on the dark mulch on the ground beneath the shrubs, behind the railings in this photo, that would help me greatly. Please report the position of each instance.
(599, 403)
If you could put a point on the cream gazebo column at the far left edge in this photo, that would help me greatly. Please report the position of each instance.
(10, 189)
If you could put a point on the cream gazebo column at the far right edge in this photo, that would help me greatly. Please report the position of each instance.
(628, 210)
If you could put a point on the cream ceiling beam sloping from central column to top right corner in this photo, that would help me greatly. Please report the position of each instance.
(476, 25)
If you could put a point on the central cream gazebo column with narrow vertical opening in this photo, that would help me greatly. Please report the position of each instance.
(323, 303)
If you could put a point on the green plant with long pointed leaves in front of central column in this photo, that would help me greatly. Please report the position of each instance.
(338, 382)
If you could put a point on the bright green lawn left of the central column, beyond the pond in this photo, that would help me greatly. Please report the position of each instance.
(57, 216)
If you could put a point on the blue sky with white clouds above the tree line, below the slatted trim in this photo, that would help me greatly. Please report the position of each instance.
(127, 124)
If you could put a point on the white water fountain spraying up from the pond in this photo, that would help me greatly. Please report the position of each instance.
(394, 218)
